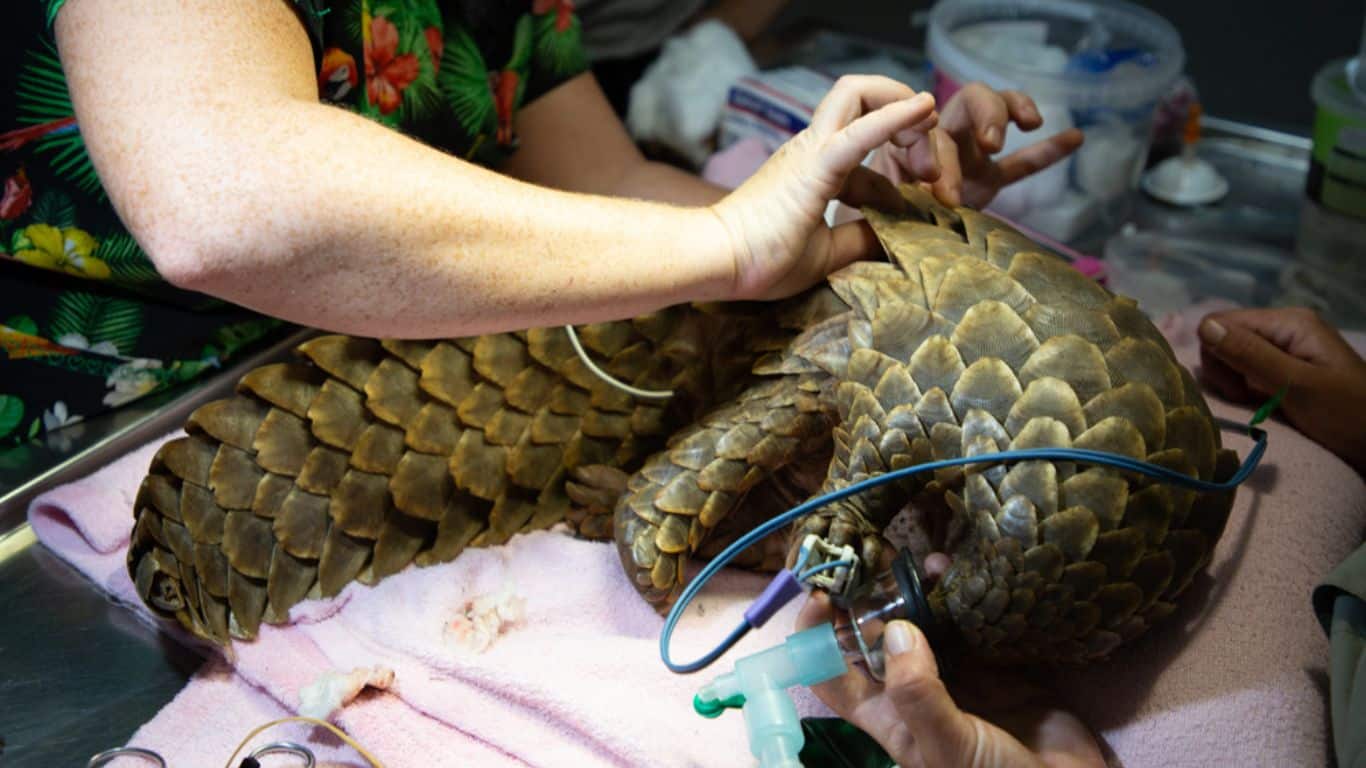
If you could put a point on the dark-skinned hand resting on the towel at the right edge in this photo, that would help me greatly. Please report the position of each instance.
(1249, 355)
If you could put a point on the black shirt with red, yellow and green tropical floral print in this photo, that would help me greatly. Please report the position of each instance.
(87, 325)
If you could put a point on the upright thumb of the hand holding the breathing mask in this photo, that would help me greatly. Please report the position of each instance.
(942, 732)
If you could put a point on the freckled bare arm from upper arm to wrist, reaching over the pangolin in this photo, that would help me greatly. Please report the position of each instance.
(204, 124)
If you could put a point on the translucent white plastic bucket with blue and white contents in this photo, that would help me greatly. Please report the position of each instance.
(1096, 65)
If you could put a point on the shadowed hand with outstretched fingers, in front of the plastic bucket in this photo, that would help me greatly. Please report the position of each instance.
(972, 128)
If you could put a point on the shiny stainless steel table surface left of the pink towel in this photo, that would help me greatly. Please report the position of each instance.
(79, 673)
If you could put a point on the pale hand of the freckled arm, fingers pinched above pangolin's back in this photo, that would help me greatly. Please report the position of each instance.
(775, 219)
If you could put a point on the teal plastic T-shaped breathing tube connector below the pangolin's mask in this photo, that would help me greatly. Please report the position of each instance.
(762, 681)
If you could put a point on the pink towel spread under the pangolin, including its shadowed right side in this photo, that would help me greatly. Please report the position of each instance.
(1238, 677)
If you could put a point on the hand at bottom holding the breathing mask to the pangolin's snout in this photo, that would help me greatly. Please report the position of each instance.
(919, 724)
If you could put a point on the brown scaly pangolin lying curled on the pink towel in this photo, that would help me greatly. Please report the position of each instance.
(365, 457)
